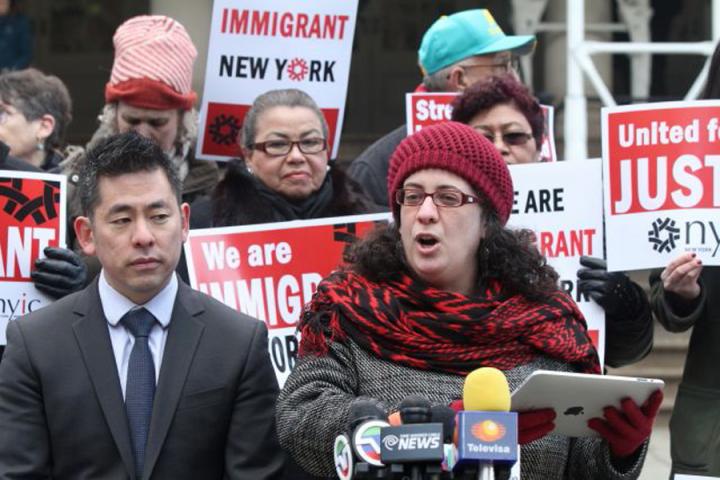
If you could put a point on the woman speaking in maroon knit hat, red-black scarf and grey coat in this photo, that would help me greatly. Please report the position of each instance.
(445, 290)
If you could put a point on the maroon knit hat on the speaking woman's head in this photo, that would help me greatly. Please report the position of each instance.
(459, 149)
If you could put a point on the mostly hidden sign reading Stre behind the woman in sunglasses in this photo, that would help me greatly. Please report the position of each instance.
(428, 108)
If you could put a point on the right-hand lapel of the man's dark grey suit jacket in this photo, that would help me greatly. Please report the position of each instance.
(183, 338)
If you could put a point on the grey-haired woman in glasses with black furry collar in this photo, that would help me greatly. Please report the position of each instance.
(285, 174)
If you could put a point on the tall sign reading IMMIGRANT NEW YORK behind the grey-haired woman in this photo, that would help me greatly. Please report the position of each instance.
(275, 44)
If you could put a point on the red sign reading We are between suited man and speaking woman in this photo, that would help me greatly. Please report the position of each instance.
(270, 271)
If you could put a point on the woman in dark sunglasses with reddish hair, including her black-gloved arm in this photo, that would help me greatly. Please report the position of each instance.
(506, 113)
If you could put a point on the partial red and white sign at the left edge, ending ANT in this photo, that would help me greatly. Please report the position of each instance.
(32, 217)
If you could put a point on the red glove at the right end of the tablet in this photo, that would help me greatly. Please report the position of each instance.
(625, 431)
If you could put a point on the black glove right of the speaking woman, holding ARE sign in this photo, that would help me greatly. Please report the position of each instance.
(613, 291)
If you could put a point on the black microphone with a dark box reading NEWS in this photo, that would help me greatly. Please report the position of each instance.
(417, 443)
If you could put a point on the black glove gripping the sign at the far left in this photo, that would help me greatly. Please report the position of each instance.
(60, 273)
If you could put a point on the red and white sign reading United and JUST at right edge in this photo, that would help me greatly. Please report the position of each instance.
(662, 189)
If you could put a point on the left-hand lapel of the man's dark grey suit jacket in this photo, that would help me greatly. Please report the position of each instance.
(92, 335)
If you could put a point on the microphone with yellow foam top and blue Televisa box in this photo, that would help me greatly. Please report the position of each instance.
(486, 430)
